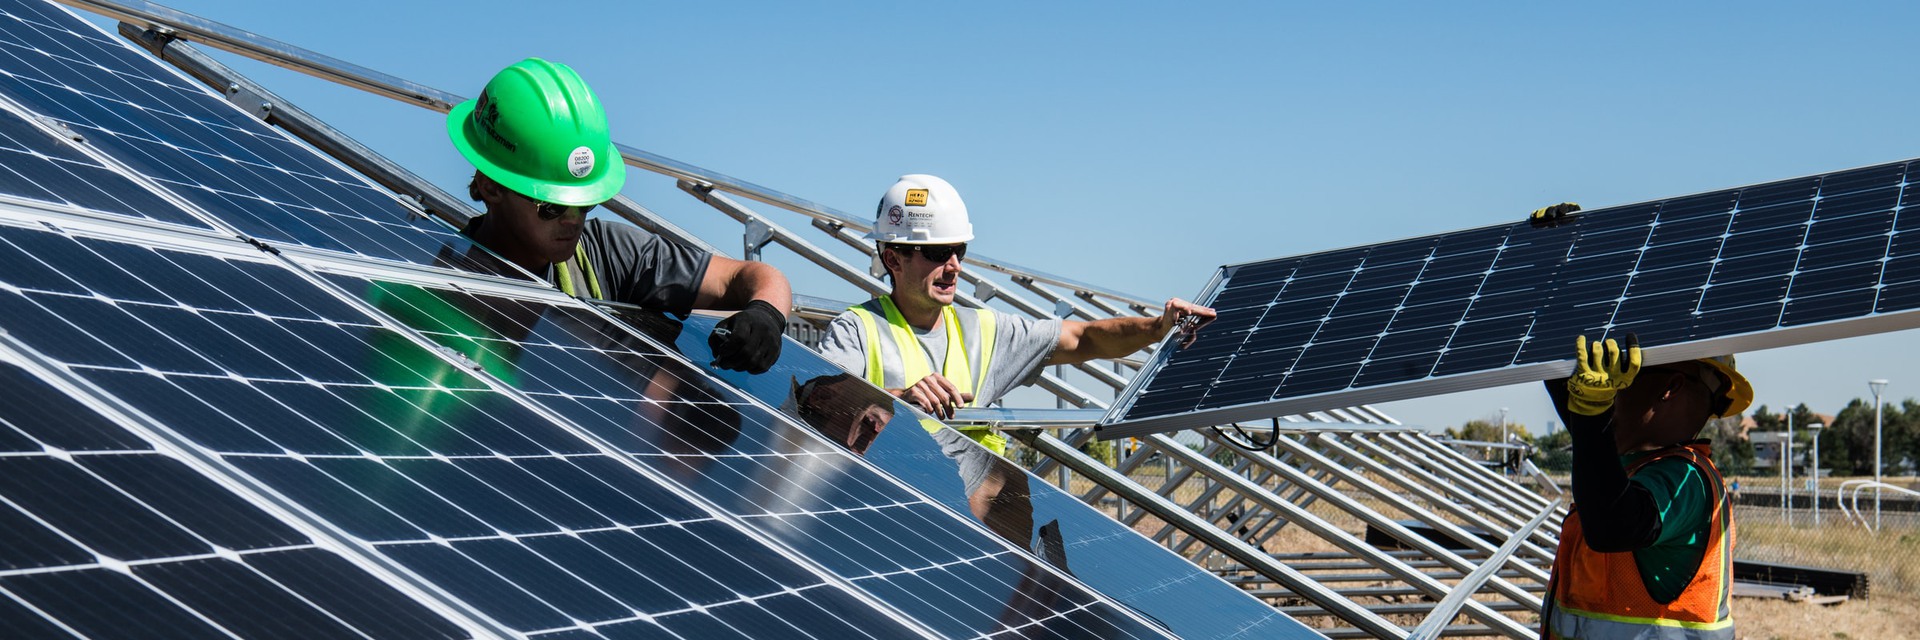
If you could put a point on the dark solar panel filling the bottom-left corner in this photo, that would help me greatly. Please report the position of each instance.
(107, 537)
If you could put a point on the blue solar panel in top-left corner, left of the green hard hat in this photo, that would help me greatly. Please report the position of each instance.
(195, 145)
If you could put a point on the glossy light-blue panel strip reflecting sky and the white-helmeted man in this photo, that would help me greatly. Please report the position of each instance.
(1022, 510)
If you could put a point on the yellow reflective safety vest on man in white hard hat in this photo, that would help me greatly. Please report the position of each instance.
(961, 364)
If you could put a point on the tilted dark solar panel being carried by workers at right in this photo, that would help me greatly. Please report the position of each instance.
(1735, 270)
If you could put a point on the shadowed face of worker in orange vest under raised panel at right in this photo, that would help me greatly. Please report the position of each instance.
(1662, 408)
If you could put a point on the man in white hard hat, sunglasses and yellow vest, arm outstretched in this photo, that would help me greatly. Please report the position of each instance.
(957, 358)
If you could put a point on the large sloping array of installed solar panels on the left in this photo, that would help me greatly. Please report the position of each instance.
(314, 445)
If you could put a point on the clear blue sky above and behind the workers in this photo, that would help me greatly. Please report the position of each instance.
(1140, 147)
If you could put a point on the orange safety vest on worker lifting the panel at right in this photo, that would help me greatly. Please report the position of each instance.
(1600, 597)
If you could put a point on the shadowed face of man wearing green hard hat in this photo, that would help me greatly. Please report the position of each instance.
(529, 232)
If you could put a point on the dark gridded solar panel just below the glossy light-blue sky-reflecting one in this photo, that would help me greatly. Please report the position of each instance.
(777, 476)
